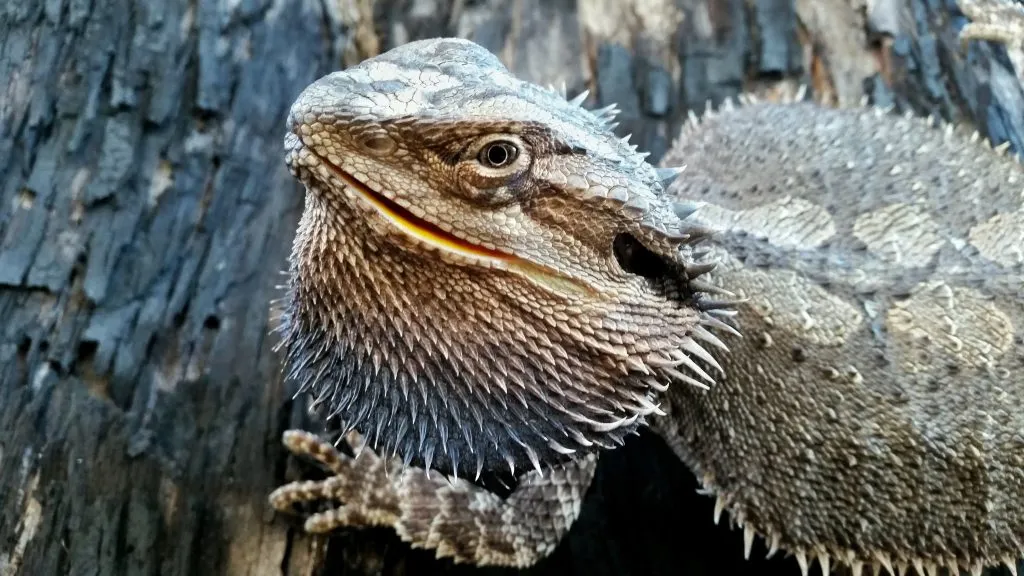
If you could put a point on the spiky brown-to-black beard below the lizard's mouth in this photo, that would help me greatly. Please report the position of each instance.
(464, 371)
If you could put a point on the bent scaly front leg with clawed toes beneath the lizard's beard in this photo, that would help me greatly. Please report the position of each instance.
(456, 518)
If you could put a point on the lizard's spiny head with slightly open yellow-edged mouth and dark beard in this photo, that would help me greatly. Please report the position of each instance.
(484, 275)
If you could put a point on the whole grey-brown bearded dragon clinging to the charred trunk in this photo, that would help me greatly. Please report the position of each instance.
(823, 316)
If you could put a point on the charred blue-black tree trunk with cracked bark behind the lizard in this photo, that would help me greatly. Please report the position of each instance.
(148, 214)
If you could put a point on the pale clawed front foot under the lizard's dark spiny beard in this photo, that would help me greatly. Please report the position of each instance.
(367, 485)
